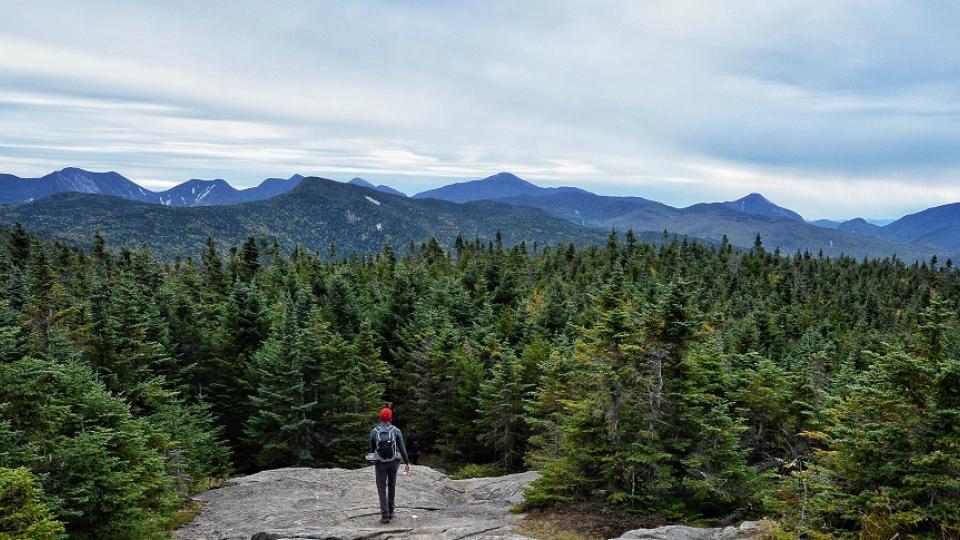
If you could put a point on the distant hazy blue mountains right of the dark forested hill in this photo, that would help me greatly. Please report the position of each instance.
(740, 220)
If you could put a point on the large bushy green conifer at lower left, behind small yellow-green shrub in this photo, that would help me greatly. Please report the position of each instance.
(97, 460)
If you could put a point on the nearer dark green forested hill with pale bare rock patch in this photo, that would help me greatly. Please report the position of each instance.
(314, 214)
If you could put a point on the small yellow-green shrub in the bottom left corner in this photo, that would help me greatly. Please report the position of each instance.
(24, 514)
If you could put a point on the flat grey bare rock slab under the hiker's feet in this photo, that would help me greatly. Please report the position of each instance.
(303, 503)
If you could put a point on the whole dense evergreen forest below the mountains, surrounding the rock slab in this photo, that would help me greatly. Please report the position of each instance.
(686, 382)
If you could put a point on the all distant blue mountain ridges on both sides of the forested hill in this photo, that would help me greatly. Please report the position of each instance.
(740, 220)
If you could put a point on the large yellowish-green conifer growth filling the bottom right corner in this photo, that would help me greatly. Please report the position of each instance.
(891, 458)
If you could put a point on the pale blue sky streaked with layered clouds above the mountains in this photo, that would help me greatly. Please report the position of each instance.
(834, 109)
